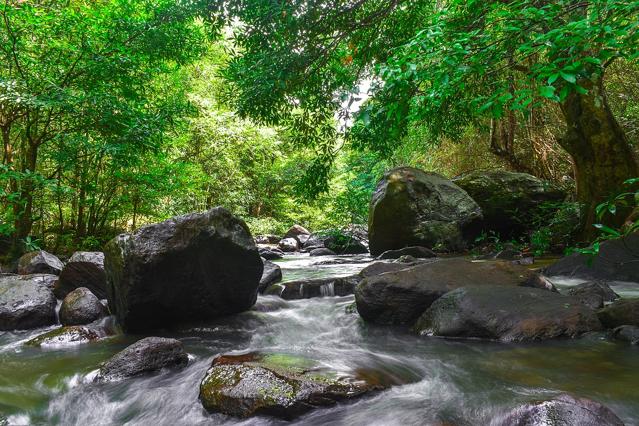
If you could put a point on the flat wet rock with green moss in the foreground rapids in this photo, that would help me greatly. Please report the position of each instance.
(275, 385)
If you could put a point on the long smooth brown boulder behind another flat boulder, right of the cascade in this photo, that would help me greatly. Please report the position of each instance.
(399, 294)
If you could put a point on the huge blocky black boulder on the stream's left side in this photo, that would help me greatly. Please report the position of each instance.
(192, 267)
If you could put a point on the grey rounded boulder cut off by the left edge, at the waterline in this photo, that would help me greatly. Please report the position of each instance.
(25, 303)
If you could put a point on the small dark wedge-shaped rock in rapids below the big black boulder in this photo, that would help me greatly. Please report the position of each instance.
(144, 356)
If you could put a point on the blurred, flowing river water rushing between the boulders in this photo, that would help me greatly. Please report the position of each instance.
(436, 381)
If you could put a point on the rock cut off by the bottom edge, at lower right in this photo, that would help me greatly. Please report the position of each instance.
(563, 410)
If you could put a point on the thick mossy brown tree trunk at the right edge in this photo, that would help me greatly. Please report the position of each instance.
(601, 152)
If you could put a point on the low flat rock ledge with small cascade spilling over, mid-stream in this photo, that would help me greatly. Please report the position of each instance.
(318, 287)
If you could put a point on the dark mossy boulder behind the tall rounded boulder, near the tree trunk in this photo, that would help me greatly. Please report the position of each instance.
(509, 201)
